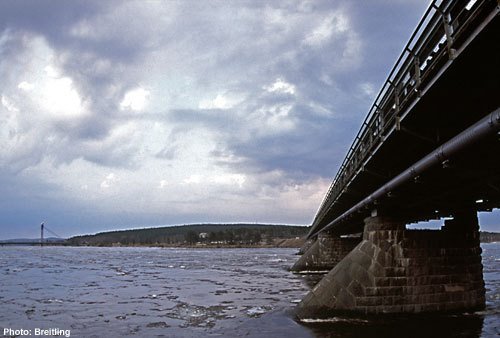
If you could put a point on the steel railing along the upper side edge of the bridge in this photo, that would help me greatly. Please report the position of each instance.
(443, 28)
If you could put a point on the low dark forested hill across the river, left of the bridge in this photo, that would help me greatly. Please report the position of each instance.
(208, 234)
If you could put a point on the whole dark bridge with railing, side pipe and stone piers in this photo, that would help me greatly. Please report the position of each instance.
(429, 148)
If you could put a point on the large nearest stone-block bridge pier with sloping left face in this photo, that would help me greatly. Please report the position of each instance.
(394, 270)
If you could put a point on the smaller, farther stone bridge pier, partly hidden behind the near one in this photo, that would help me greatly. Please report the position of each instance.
(326, 252)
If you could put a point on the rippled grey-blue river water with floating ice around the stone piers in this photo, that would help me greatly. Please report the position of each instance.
(158, 292)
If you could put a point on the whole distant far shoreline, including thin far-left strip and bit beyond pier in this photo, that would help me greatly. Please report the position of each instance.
(202, 236)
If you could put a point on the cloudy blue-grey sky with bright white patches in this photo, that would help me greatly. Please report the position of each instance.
(126, 114)
